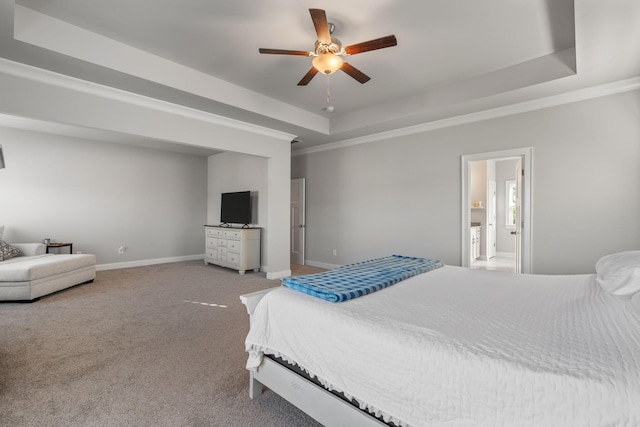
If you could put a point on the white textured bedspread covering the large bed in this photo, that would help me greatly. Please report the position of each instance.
(461, 347)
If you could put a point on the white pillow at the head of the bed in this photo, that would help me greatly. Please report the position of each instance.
(619, 273)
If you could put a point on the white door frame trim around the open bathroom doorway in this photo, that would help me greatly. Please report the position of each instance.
(526, 154)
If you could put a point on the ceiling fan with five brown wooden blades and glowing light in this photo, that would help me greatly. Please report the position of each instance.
(328, 52)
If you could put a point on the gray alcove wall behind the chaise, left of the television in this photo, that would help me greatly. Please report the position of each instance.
(101, 196)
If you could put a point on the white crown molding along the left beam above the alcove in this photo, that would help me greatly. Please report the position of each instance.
(41, 75)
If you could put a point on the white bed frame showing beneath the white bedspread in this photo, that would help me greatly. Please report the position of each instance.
(319, 403)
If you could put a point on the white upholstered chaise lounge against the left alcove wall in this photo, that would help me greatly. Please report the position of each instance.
(34, 273)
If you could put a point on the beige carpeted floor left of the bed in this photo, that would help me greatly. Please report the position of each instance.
(160, 345)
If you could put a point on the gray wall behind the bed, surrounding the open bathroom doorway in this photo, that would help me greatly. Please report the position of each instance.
(402, 195)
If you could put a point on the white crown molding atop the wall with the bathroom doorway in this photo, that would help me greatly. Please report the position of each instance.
(518, 108)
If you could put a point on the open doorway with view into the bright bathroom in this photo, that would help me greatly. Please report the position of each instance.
(490, 218)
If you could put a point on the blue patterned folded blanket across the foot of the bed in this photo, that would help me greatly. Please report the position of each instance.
(355, 280)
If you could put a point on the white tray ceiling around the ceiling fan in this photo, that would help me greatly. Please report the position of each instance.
(453, 57)
